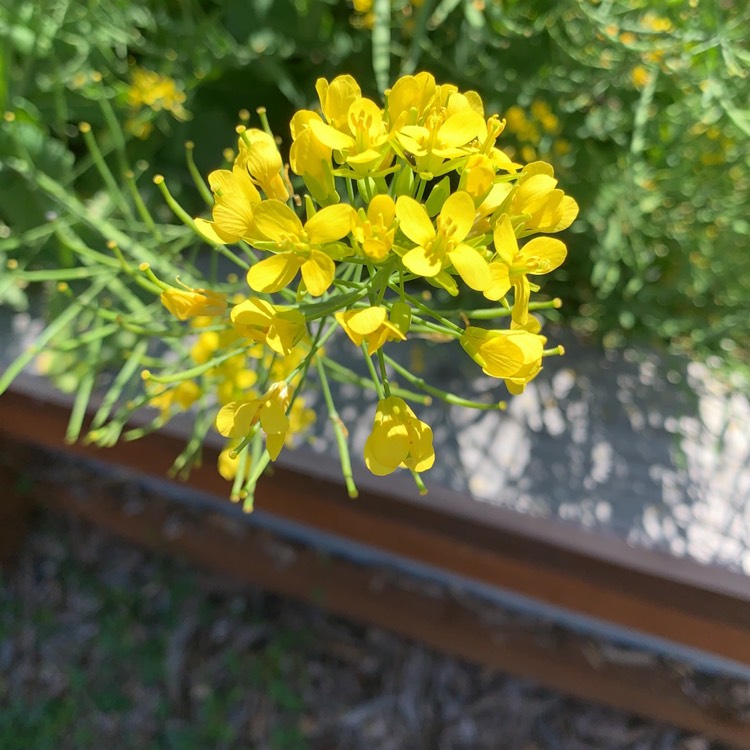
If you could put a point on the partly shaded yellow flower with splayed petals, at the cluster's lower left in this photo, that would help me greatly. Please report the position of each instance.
(237, 418)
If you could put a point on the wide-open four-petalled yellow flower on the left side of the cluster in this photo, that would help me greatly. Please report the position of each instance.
(310, 248)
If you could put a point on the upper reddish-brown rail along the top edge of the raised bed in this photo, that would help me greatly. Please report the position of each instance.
(674, 599)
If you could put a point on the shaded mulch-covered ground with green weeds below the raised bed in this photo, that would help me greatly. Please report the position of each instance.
(106, 645)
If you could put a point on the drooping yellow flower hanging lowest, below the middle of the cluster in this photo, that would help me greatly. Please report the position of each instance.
(398, 439)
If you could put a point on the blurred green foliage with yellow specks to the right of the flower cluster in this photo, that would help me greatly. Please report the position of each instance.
(642, 107)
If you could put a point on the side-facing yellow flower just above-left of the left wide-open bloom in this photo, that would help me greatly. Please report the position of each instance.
(235, 196)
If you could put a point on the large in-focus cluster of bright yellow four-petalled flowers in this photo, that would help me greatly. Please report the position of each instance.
(429, 199)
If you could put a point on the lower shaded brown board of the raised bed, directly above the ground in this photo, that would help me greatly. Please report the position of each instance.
(253, 556)
